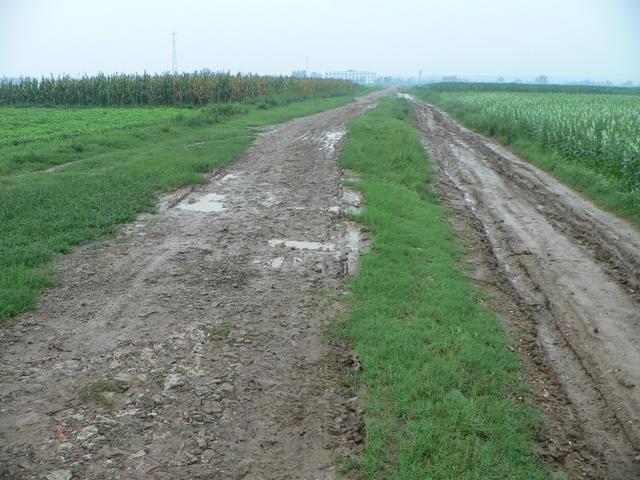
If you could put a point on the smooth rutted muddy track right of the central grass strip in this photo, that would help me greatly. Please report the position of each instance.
(572, 271)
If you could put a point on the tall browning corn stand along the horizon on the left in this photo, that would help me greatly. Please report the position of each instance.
(166, 89)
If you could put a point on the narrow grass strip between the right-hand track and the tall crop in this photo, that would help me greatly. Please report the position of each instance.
(607, 191)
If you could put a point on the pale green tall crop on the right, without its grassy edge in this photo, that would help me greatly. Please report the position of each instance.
(601, 131)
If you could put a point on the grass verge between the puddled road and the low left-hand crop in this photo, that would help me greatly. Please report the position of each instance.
(116, 176)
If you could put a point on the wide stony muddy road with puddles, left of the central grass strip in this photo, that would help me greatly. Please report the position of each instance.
(192, 346)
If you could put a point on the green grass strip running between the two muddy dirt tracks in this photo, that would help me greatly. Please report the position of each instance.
(440, 385)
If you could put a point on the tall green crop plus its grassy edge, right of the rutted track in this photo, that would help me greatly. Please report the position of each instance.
(588, 137)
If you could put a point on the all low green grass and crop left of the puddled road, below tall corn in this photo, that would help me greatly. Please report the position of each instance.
(118, 170)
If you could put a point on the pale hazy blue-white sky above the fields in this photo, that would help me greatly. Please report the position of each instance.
(561, 38)
